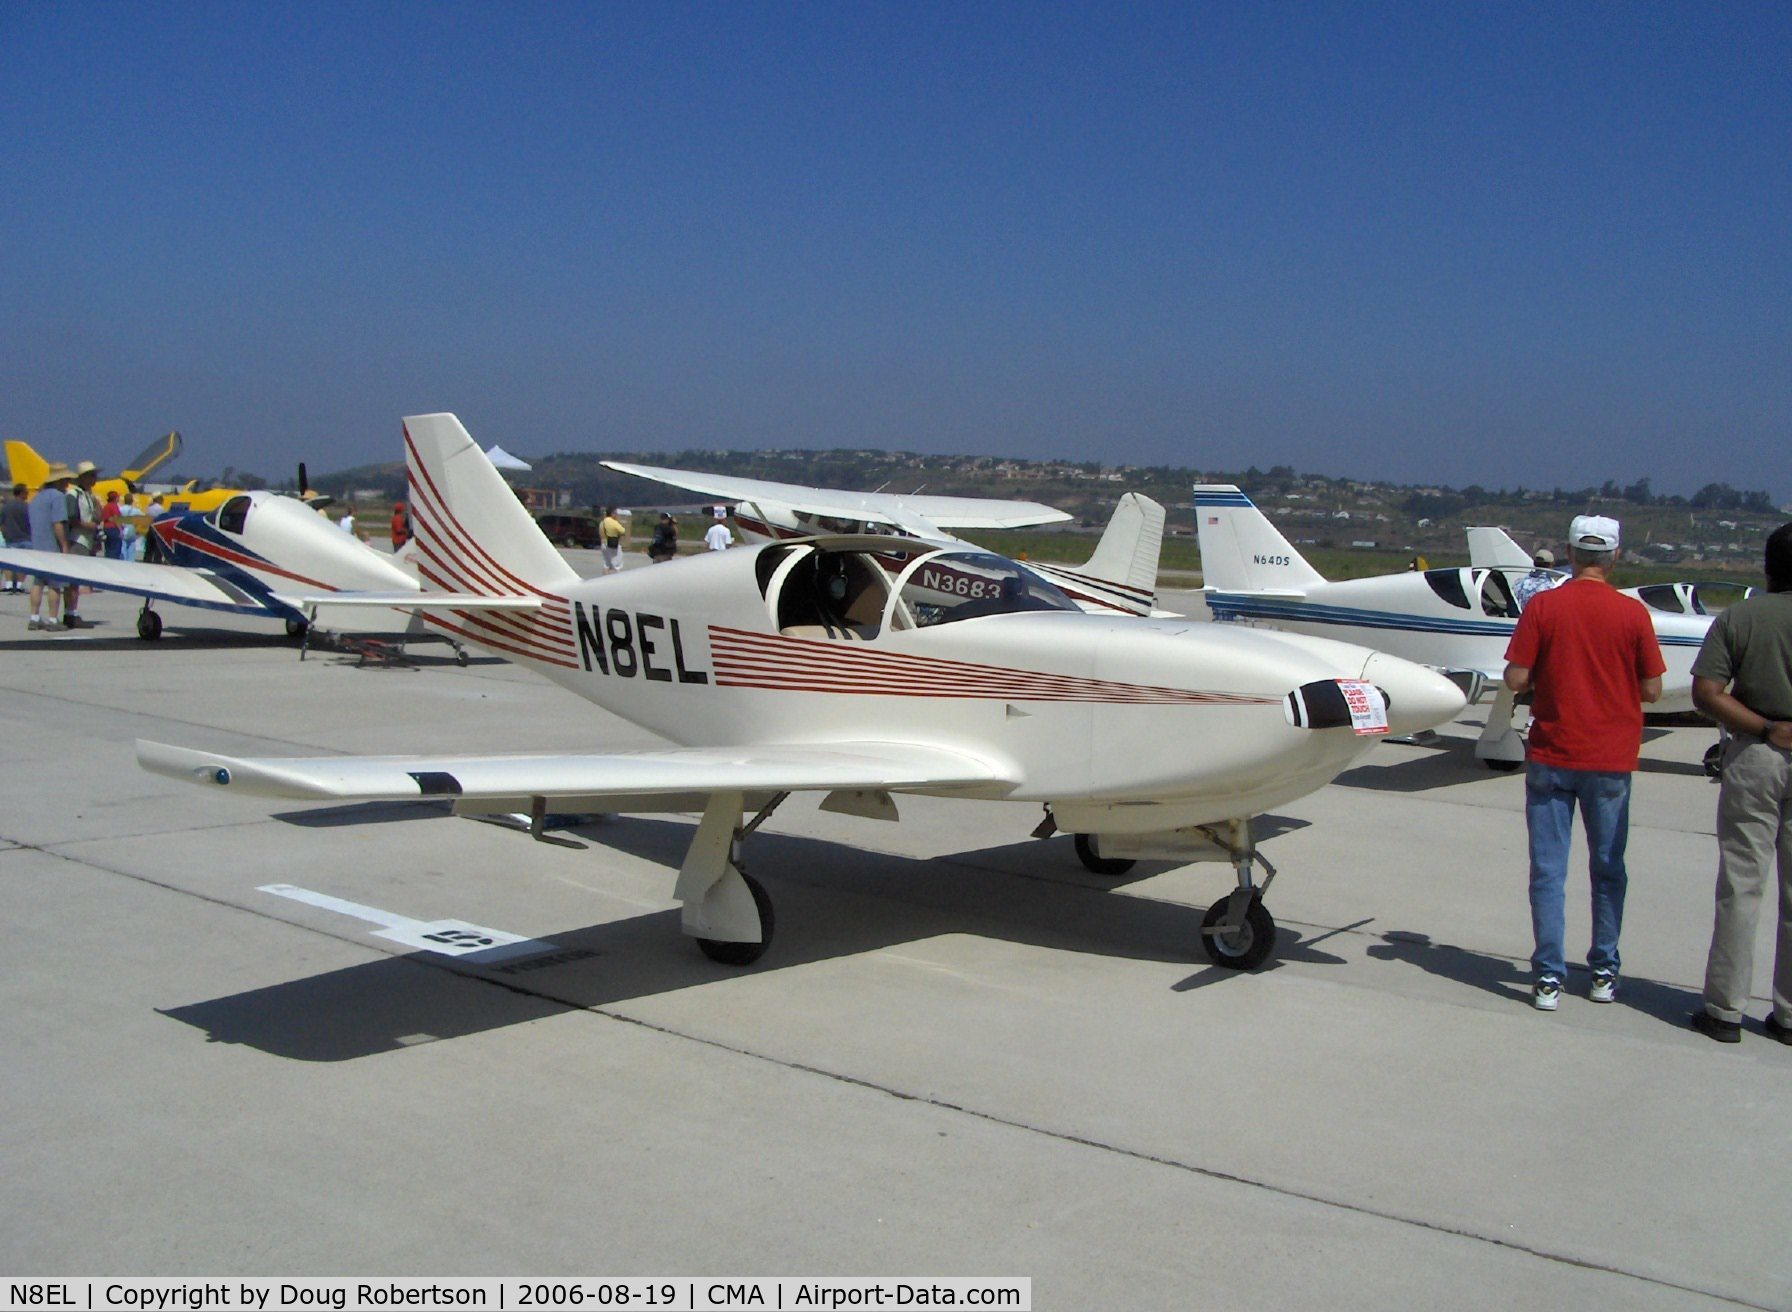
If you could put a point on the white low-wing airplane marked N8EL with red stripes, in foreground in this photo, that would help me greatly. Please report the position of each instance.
(866, 668)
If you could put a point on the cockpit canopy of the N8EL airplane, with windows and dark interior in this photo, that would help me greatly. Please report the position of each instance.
(852, 592)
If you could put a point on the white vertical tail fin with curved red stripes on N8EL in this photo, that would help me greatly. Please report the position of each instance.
(470, 530)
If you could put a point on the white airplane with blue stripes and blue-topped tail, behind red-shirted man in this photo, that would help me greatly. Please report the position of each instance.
(1458, 621)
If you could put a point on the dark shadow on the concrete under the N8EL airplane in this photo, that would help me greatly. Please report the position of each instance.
(832, 902)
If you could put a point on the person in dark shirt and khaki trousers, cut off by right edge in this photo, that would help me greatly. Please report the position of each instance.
(1743, 678)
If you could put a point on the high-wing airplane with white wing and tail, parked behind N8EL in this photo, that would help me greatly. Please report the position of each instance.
(1121, 576)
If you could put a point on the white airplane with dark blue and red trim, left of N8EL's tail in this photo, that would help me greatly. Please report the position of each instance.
(261, 553)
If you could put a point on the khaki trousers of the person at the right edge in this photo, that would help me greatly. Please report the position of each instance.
(1753, 831)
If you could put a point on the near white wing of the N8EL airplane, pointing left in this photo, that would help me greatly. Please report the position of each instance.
(675, 772)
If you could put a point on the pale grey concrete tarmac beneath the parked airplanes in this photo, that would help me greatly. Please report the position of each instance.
(961, 1057)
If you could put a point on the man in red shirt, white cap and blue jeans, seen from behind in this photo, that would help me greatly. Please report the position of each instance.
(1589, 657)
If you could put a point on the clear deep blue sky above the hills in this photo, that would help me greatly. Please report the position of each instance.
(1508, 245)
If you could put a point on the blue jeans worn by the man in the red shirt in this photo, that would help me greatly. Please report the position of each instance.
(1605, 798)
